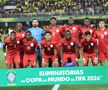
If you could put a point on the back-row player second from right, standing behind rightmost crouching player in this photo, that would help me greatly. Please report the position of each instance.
(87, 27)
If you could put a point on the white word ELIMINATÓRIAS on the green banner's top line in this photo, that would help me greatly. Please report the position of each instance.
(62, 72)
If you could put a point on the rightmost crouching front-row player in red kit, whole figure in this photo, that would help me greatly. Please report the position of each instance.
(89, 49)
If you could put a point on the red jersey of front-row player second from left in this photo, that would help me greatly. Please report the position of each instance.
(29, 46)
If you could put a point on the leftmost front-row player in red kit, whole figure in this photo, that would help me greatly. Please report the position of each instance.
(11, 50)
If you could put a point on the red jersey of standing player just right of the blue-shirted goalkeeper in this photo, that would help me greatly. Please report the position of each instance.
(56, 33)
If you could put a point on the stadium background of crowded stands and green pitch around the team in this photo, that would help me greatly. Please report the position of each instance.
(12, 11)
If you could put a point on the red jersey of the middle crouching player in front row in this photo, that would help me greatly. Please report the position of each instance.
(48, 47)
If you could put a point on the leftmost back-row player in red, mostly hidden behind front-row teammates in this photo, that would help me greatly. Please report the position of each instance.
(20, 33)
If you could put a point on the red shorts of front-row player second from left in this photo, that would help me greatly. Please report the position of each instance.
(29, 58)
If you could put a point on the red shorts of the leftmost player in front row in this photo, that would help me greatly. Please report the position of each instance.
(13, 58)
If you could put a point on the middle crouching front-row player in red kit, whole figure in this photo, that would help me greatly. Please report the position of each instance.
(49, 51)
